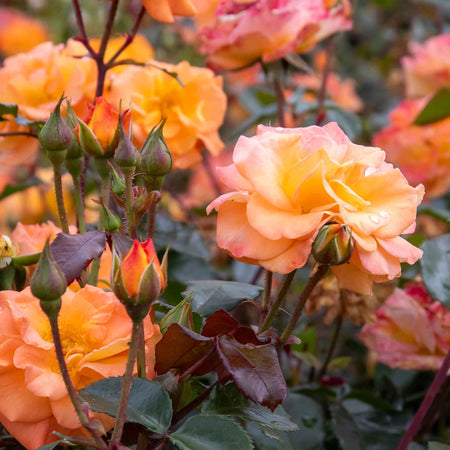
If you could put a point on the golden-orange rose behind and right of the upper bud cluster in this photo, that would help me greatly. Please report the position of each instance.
(193, 112)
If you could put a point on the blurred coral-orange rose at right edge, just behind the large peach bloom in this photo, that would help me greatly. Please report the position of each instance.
(421, 152)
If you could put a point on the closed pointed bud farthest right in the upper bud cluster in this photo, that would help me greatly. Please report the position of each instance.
(156, 160)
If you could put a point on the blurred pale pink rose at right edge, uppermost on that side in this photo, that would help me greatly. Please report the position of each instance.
(428, 69)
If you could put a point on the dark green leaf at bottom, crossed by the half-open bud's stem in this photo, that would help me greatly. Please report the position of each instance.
(149, 404)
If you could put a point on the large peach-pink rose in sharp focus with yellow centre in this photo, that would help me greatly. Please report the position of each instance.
(287, 183)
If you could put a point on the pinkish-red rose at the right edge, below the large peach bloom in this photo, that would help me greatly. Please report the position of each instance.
(412, 331)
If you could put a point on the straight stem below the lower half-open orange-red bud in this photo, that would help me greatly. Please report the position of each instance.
(126, 385)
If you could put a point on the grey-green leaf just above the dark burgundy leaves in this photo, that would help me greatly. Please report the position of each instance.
(211, 295)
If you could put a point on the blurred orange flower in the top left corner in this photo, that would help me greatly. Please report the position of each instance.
(18, 32)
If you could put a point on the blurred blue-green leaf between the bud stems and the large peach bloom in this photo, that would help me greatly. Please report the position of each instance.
(180, 237)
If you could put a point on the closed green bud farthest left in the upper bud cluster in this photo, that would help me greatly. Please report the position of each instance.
(56, 136)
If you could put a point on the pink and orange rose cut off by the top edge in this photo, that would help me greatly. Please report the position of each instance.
(244, 32)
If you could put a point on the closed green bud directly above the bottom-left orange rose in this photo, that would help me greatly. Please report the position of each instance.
(48, 282)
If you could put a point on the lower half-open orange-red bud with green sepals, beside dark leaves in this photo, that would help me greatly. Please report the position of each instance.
(140, 276)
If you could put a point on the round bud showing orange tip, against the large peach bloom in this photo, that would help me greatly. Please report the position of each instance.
(333, 244)
